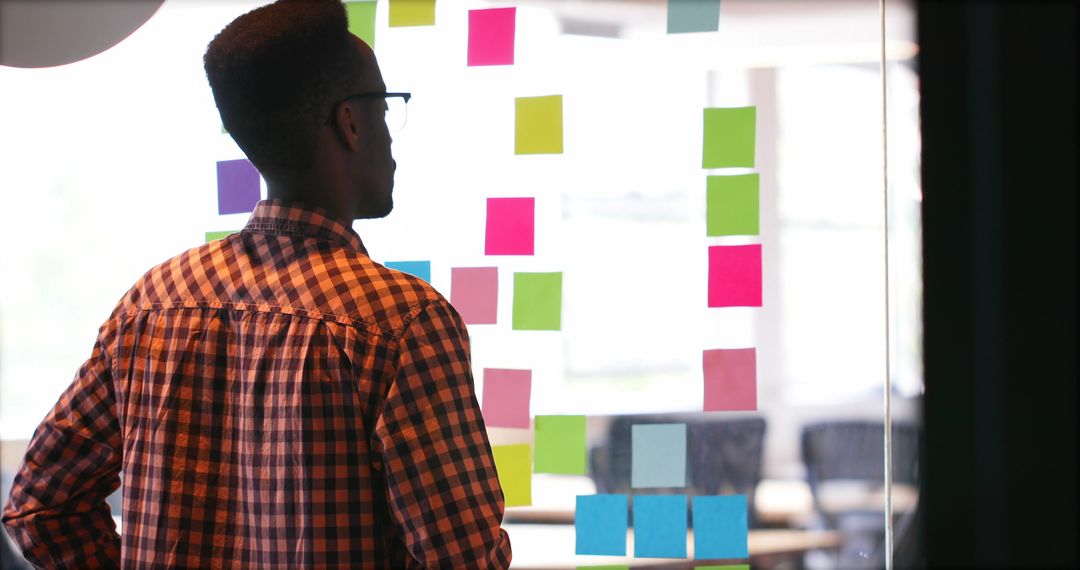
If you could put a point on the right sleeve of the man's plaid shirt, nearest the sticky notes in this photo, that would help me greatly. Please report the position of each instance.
(442, 485)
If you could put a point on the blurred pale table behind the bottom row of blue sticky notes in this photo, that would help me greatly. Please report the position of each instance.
(551, 547)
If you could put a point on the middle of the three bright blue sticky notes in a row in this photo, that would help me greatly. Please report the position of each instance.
(660, 526)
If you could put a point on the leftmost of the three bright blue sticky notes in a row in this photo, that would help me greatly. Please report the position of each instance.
(600, 525)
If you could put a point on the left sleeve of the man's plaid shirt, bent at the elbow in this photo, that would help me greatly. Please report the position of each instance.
(57, 512)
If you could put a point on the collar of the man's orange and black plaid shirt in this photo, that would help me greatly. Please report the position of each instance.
(295, 219)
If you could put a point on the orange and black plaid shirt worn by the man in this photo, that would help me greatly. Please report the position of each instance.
(274, 400)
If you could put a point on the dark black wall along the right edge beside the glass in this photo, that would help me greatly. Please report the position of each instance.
(998, 88)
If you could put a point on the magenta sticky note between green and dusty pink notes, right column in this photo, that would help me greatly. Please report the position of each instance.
(735, 276)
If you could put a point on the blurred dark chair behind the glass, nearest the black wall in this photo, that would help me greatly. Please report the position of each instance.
(854, 453)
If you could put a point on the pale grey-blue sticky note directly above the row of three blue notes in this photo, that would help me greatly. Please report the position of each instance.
(658, 455)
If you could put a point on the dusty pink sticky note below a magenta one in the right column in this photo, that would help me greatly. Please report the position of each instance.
(731, 379)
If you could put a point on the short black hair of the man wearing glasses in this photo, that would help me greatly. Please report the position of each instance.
(276, 72)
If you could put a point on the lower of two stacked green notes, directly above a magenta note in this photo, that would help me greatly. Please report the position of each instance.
(733, 206)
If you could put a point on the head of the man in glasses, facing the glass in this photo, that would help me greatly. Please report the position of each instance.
(280, 76)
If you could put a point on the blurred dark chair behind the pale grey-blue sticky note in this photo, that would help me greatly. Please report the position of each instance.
(724, 457)
